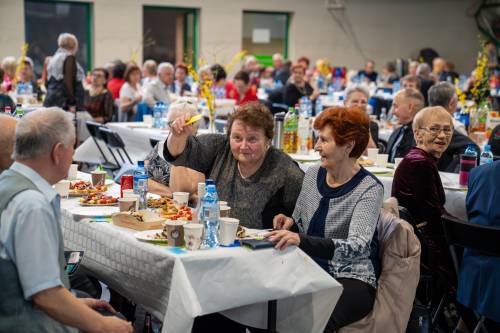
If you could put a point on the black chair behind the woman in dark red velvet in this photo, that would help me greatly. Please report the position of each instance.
(481, 239)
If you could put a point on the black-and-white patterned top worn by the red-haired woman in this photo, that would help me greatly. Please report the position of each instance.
(348, 216)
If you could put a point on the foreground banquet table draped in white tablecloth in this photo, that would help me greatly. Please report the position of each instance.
(177, 285)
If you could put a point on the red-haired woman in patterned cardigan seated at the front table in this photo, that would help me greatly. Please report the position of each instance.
(337, 212)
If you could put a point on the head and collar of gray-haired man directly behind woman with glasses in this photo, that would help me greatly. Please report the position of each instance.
(443, 94)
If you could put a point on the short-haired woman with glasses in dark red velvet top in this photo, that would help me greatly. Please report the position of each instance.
(417, 184)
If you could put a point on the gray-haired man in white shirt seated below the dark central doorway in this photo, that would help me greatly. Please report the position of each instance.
(159, 89)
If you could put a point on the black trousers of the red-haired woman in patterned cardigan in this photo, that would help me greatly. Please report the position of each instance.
(354, 304)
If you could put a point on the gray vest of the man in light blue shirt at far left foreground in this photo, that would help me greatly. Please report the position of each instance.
(17, 314)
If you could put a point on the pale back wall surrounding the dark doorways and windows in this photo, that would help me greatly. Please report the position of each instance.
(385, 29)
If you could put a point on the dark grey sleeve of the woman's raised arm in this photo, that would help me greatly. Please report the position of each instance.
(200, 153)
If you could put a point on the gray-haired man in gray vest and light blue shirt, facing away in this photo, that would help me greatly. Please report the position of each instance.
(34, 295)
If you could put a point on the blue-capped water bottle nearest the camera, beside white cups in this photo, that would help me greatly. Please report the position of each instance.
(210, 217)
